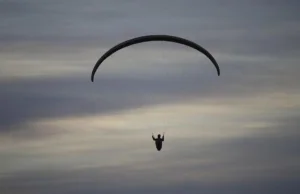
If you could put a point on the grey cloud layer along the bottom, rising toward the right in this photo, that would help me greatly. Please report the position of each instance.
(248, 165)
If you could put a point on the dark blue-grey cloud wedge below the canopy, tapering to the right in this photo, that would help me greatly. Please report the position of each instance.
(43, 98)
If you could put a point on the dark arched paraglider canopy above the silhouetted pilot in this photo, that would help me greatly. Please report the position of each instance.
(148, 38)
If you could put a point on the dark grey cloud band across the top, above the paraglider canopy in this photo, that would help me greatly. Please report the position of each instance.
(241, 27)
